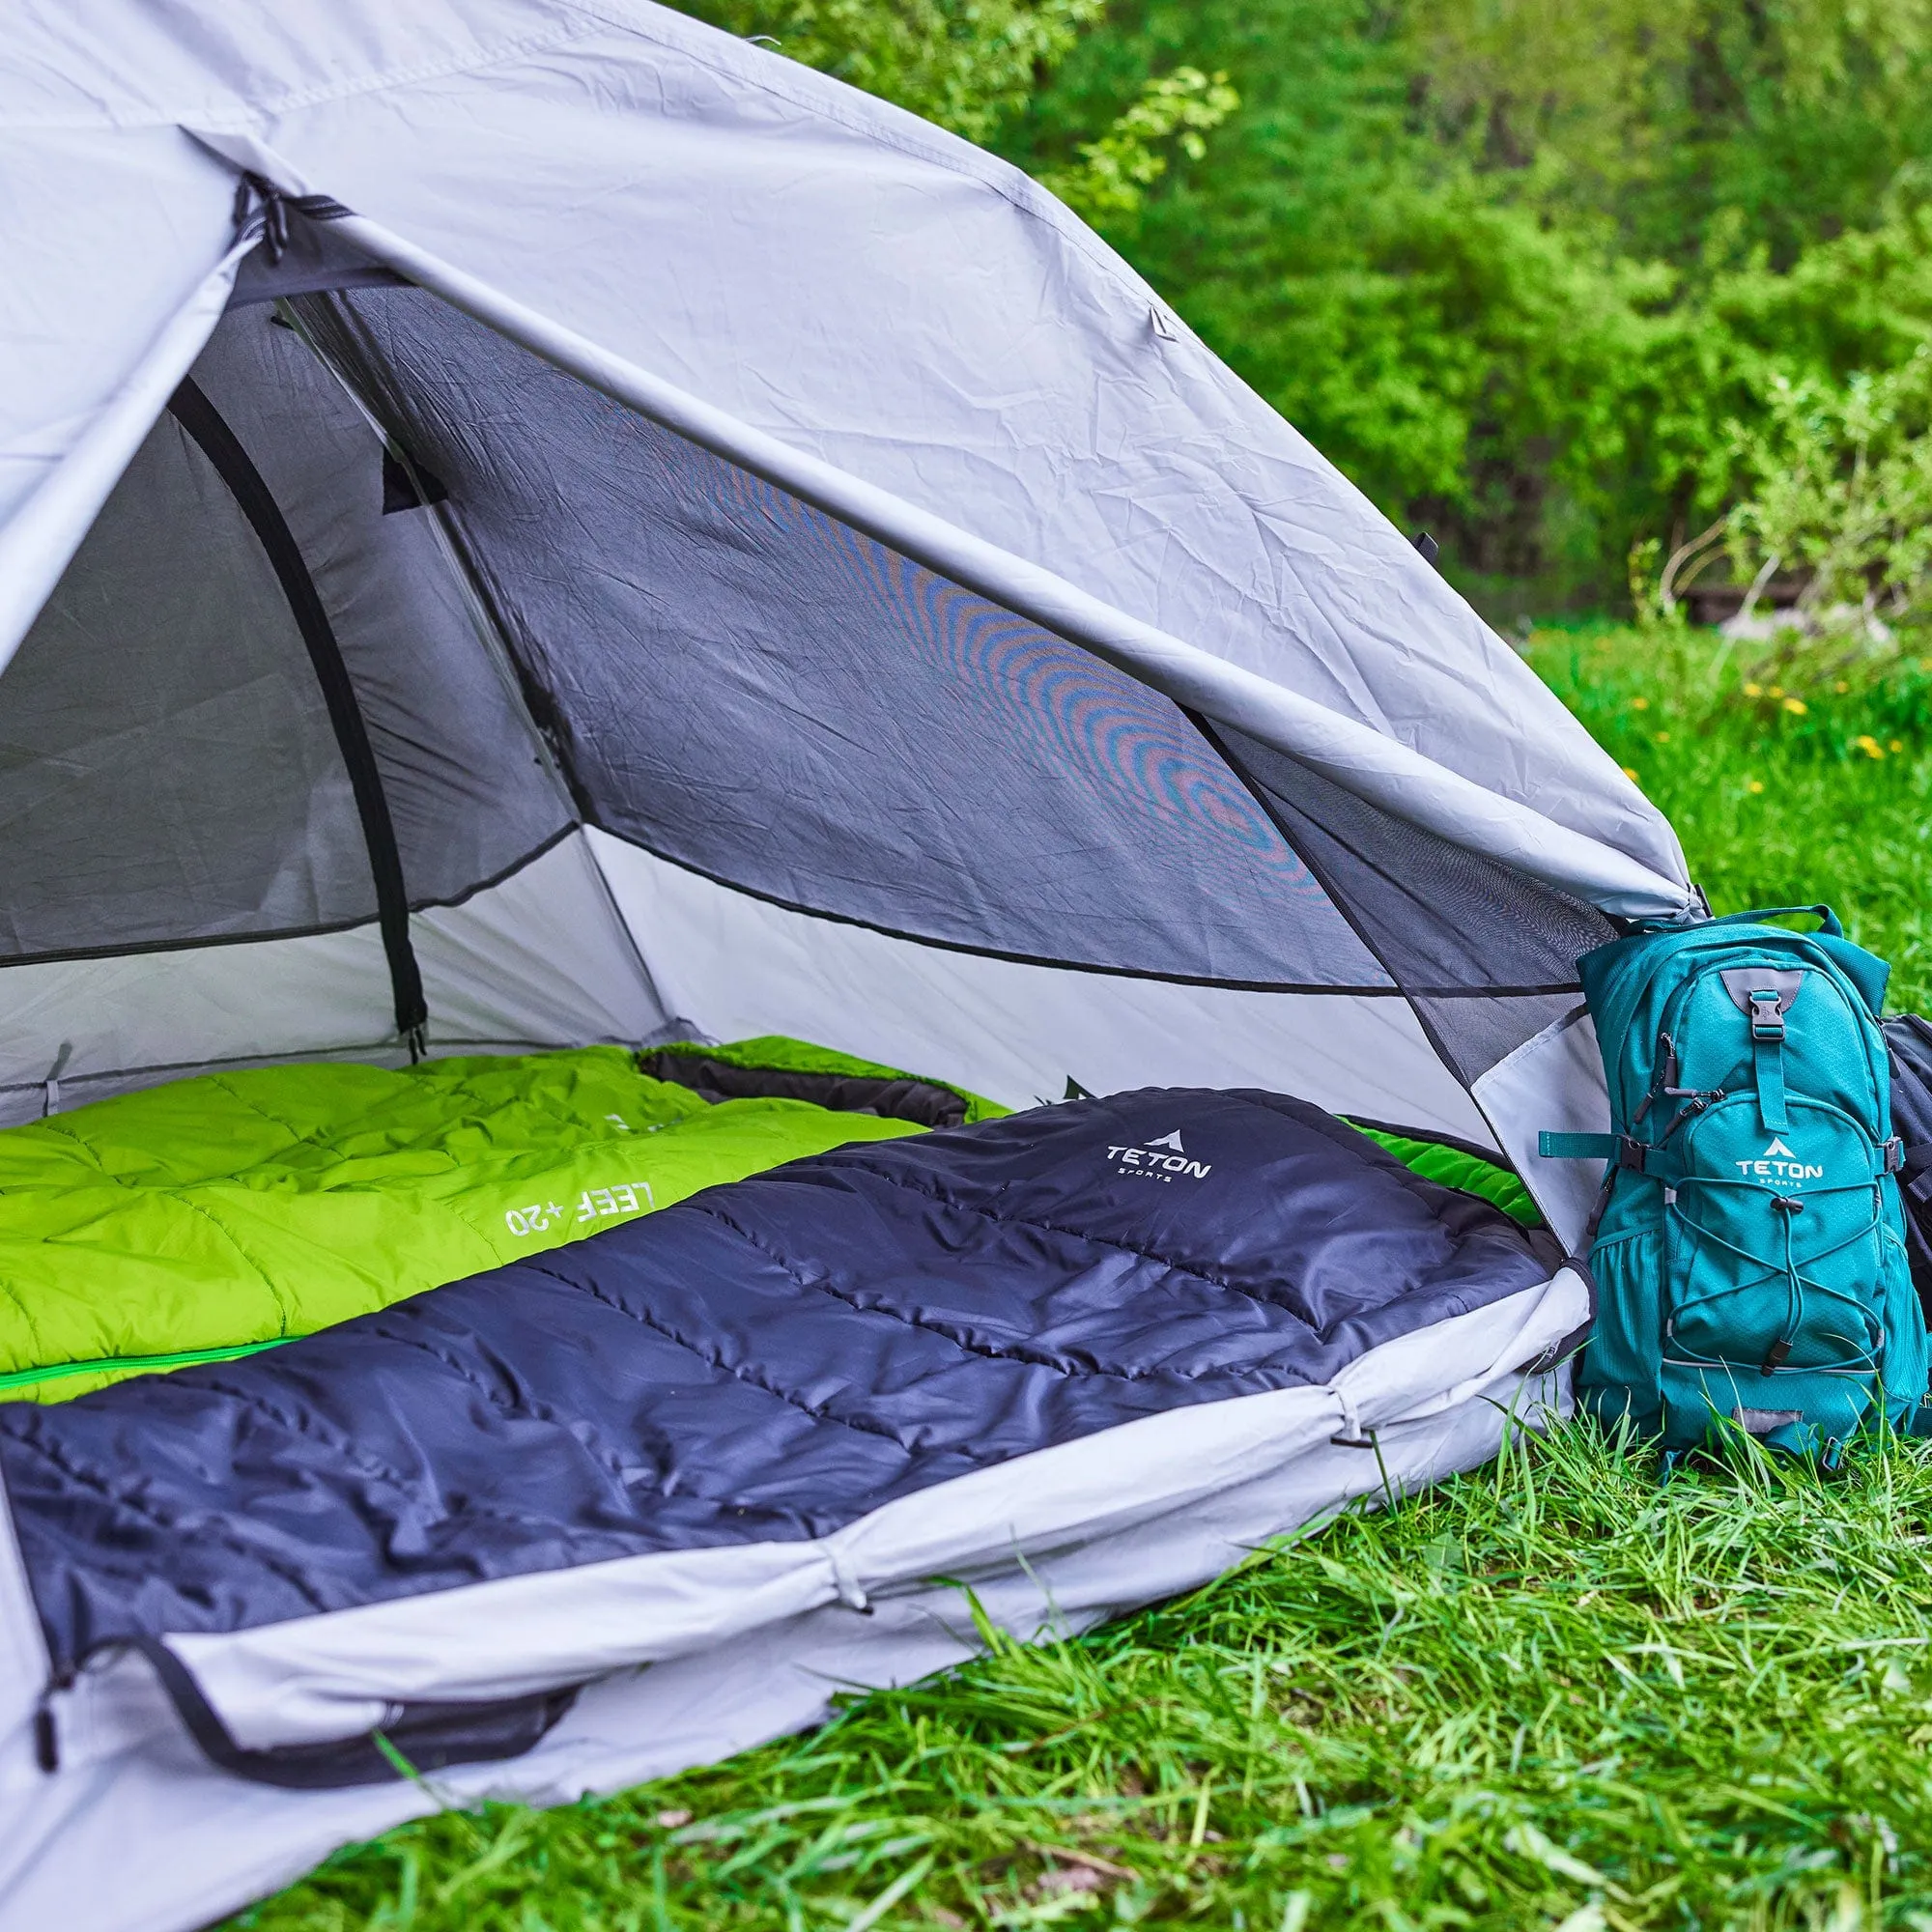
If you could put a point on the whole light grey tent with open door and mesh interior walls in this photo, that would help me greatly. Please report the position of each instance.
(530, 523)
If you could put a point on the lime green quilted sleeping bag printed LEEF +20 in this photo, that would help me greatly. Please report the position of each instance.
(217, 1216)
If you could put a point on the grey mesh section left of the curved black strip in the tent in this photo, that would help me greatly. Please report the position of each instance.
(167, 766)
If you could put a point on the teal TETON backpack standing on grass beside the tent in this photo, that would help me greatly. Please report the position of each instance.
(1749, 1249)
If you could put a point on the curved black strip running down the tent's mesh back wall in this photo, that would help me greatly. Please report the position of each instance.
(248, 488)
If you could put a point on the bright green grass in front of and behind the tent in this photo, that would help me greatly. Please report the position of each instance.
(1547, 1695)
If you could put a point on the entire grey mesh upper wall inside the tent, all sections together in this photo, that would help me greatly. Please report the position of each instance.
(722, 673)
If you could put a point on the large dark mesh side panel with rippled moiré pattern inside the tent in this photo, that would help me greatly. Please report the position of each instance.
(754, 691)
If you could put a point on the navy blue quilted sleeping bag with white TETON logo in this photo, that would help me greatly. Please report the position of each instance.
(766, 1361)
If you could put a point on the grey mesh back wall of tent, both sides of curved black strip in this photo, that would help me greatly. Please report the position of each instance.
(169, 774)
